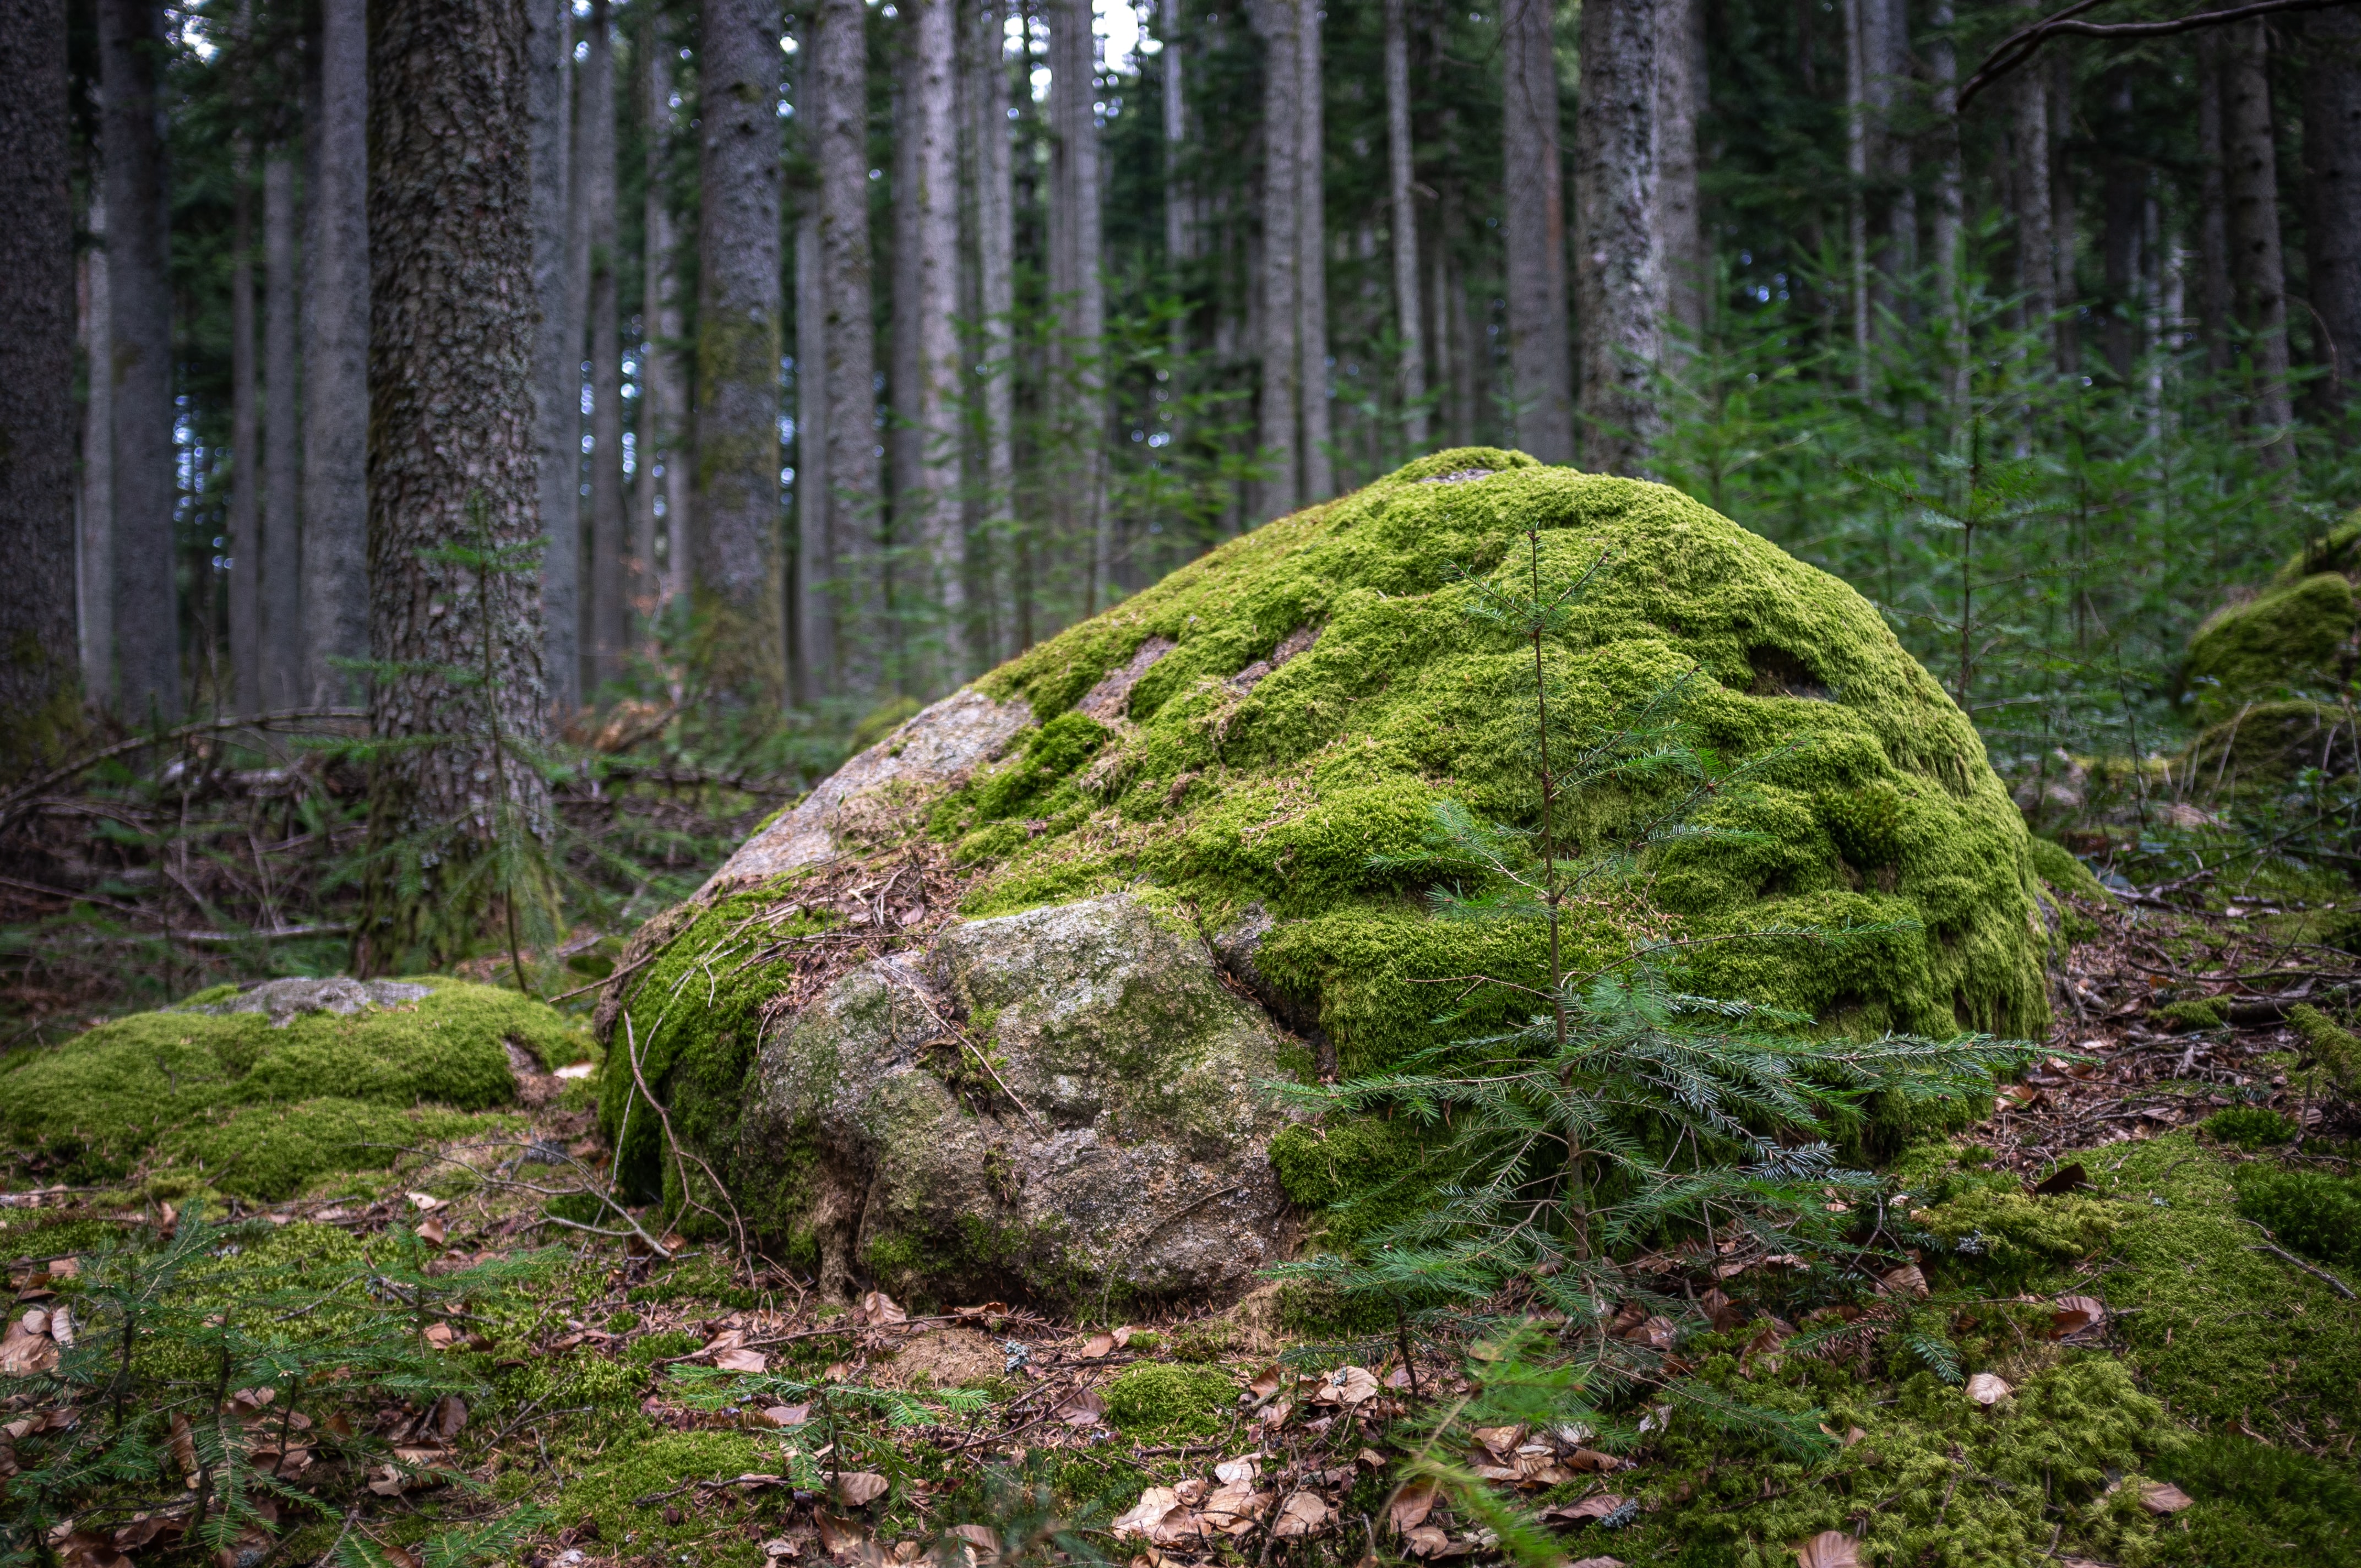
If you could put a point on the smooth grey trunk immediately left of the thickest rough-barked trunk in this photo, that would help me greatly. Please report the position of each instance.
(336, 365)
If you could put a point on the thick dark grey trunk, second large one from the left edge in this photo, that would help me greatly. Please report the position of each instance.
(140, 351)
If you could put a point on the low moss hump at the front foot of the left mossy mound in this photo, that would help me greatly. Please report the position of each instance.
(275, 1151)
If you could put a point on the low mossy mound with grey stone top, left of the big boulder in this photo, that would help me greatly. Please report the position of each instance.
(261, 1102)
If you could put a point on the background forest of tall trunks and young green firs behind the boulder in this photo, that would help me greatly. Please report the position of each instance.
(854, 348)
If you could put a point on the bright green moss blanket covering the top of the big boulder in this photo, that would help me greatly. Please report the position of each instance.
(1281, 795)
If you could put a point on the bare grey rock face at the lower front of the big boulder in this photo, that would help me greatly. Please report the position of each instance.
(1061, 1104)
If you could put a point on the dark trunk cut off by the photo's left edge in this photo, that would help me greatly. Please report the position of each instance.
(39, 681)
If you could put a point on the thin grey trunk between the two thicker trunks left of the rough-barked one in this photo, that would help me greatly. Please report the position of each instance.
(282, 445)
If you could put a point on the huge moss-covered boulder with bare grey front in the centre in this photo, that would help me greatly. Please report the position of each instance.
(1153, 861)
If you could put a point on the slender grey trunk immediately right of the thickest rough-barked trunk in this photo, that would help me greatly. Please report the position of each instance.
(556, 348)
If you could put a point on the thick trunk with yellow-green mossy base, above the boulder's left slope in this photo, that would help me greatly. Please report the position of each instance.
(738, 353)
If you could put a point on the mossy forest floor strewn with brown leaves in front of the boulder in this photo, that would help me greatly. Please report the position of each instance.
(650, 1402)
